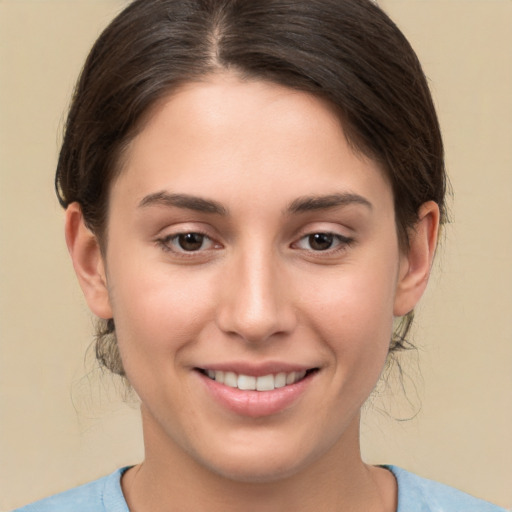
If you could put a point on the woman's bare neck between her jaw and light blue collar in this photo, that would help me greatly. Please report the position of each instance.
(171, 479)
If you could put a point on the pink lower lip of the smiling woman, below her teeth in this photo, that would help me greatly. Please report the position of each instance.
(255, 404)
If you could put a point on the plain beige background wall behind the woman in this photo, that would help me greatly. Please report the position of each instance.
(62, 424)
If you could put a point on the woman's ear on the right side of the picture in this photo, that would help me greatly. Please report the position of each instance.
(416, 263)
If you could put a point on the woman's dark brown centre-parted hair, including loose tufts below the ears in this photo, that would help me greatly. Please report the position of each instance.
(345, 51)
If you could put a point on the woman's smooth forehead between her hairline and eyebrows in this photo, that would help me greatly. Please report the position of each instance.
(244, 137)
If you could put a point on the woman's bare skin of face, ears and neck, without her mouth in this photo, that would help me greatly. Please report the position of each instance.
(254, 291)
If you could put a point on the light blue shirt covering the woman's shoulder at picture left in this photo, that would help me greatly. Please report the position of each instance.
(103, 495)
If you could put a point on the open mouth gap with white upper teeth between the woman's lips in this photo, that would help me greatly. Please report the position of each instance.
(262, 383)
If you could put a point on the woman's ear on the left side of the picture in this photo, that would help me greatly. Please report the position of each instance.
(88, 262)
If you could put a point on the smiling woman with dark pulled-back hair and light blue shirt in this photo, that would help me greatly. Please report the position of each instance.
(253, 192)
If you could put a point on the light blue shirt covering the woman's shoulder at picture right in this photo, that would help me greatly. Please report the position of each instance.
(417, 494)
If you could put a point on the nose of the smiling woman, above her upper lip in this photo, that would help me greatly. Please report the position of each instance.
(255, 303)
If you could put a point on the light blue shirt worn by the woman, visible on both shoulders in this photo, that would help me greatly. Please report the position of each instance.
(415, 494)
